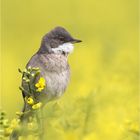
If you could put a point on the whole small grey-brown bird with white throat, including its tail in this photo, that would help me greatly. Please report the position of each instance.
(52, 61)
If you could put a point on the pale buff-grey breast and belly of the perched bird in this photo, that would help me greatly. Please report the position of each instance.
(57, 74)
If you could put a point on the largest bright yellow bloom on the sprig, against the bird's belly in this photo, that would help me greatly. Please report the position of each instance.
(40, 84)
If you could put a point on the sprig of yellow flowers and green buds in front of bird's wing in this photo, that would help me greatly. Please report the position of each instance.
(30, 75)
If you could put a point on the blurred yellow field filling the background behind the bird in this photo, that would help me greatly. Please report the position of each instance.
(104, 66)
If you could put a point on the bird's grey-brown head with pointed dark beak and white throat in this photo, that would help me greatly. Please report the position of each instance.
(58, 41)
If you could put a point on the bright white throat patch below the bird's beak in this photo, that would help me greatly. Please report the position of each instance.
(66, 47)
